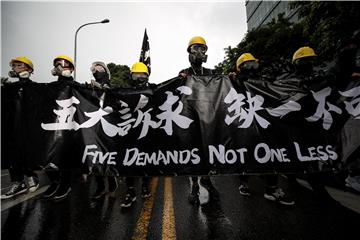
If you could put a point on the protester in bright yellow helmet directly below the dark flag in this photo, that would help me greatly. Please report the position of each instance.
(139, 80)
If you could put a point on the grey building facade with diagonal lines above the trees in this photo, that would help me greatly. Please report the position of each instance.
(259, 13)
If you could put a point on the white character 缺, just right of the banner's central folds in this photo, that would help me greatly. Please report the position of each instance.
(246, 115)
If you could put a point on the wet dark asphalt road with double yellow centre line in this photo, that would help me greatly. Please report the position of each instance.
(223, 214)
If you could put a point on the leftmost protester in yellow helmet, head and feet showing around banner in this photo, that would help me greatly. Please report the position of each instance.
(21, 68)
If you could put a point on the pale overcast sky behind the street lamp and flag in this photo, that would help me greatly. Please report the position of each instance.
(43, 30)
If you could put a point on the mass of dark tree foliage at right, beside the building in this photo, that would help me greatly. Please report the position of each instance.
(322, 25)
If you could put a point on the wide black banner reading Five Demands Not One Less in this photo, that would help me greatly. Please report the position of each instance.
(195, 126)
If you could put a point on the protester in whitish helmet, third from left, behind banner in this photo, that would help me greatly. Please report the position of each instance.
(101, 74)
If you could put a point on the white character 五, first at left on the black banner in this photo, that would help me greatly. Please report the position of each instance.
(65, 119)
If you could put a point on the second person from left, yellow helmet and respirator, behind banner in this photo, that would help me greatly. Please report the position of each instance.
(60, 186)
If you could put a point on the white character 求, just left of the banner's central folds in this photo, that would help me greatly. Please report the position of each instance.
(170, 116)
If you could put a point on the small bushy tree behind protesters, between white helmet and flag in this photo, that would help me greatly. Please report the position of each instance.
(120, 75)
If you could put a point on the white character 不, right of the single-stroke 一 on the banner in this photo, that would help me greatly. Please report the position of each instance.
(324, 108)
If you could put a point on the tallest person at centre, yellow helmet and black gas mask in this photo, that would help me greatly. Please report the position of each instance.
(197, 56)
